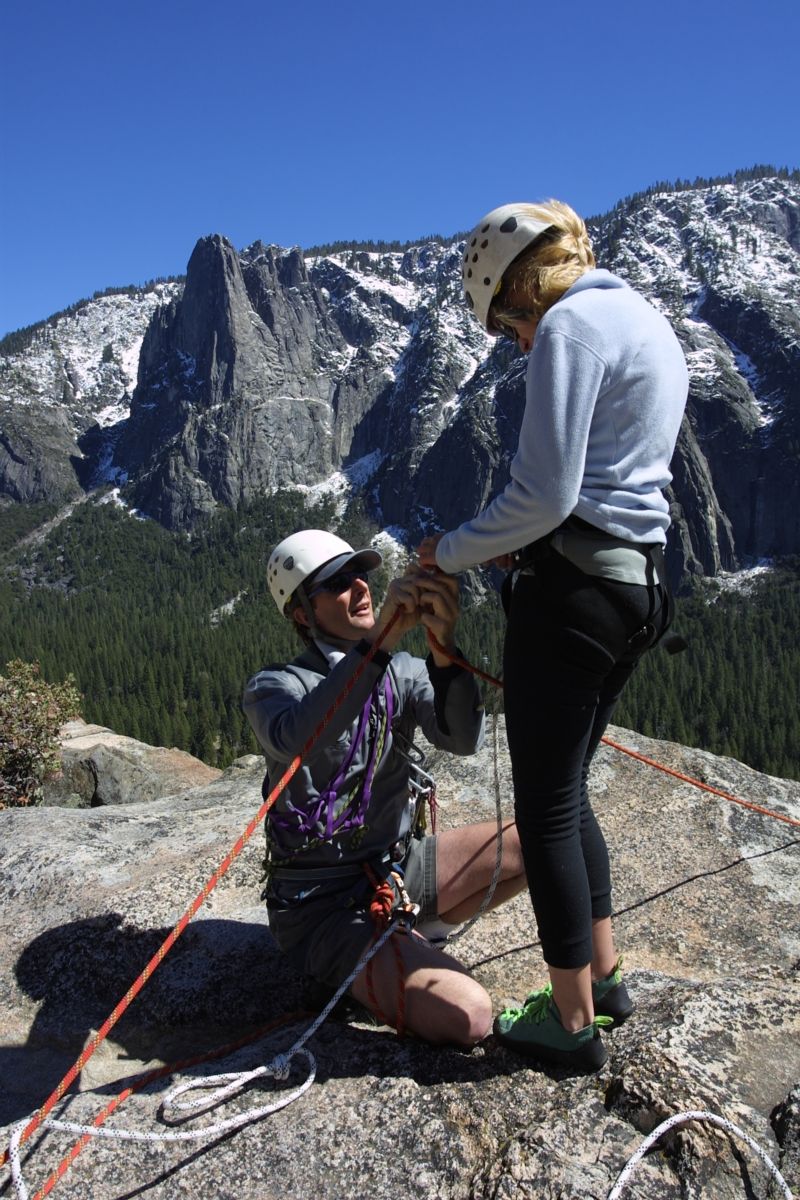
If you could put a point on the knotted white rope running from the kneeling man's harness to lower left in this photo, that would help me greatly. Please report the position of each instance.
(232, 1083)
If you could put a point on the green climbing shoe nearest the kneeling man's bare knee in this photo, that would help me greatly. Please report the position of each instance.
(537, 1031)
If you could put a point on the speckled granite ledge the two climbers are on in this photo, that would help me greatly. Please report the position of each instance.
(707, 913)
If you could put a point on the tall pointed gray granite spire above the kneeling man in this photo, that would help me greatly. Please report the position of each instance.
(234, 386)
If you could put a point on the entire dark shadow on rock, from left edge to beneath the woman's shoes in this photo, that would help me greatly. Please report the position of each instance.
(221, 982)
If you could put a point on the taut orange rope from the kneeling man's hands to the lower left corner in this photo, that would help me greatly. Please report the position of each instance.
(202, 897)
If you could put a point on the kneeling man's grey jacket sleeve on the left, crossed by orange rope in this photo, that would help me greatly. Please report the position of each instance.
(285, 717)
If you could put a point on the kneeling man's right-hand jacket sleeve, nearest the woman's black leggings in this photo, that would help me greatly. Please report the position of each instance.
(448, 706)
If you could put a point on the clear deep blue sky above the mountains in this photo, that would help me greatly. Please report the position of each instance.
(134, 129)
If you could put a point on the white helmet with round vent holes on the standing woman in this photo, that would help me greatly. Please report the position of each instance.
(491, 249)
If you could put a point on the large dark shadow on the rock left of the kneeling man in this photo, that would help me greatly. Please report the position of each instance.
(221, 980)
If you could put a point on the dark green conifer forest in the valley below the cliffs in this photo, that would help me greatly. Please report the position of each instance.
(161, 632)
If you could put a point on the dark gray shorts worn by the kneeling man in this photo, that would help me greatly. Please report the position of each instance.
(324, 927)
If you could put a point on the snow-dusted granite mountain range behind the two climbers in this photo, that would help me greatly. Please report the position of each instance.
(272, 369)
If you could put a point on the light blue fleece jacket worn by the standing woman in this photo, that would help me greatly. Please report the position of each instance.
(605, 395)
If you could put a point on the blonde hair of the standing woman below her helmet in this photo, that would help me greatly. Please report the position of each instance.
(546, 271)
